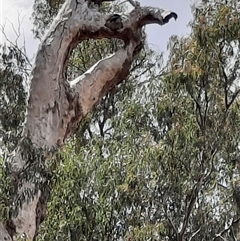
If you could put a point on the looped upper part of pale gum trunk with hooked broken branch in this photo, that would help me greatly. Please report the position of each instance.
(75, 23)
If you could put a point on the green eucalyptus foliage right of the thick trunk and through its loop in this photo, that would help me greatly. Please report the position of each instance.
(158, 158)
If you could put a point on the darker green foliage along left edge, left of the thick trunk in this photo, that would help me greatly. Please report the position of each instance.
(14, 68)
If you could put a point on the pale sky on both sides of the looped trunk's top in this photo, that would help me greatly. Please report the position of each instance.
(13, 12)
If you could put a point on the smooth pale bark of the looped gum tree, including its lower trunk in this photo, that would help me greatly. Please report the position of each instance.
(56, 106)
